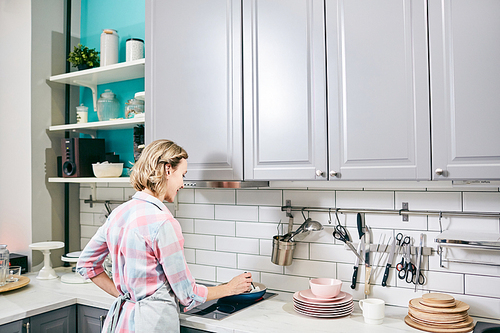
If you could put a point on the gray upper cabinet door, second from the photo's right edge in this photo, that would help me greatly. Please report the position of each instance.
(378, 91)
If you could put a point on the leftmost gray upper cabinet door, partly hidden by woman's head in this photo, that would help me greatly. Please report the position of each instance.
(193, 83)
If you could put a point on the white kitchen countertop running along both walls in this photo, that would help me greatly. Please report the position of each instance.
(272, 315)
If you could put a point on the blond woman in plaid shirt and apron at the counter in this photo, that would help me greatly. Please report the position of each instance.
(145, 242)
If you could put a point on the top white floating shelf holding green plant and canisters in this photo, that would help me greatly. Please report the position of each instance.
(101, 75)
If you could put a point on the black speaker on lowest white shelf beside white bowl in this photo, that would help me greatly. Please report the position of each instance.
(78, 154)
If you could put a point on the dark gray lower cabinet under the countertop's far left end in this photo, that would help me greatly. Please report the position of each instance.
(57, 321)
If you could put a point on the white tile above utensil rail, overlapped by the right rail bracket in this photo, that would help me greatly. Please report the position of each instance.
(440, 201)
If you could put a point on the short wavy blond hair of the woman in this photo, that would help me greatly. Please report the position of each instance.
(149, 171)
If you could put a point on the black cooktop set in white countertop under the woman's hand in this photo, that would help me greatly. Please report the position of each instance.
(220, 309)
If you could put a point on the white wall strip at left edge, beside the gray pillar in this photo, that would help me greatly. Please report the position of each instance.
(15, 125)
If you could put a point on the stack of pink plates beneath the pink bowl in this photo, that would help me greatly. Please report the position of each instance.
(306, 303)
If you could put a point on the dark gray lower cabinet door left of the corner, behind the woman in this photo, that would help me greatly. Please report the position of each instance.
(57, 321)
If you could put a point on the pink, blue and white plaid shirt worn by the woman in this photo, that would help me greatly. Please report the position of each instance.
(146, 246)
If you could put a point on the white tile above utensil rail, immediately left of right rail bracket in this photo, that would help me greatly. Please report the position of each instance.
(365, 199)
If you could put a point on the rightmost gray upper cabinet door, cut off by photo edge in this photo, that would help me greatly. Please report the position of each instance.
(465, 85)
